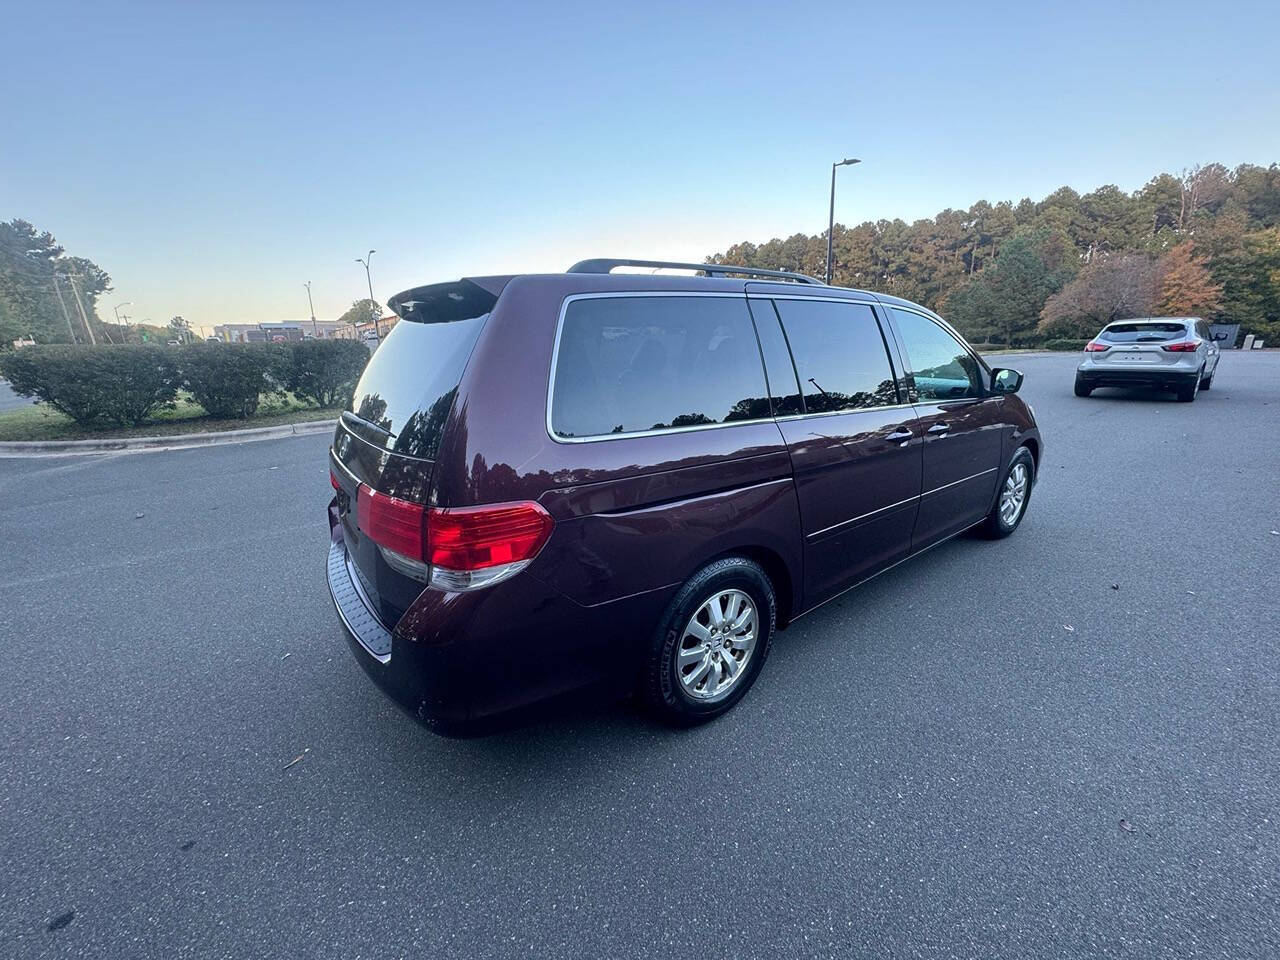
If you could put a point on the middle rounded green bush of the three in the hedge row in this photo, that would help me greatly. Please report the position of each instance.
(228, 380)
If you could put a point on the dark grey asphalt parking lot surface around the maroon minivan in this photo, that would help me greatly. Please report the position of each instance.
(1063, 744)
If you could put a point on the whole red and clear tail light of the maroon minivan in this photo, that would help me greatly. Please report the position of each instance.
(455, 548)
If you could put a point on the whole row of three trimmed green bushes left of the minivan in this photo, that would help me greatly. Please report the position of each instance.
(130, 383)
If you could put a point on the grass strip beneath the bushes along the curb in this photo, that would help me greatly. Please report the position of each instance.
(43, 423)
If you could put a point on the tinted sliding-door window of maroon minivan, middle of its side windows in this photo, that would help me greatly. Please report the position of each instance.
(840, 355)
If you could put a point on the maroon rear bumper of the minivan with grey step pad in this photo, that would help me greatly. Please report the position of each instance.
(464, 664)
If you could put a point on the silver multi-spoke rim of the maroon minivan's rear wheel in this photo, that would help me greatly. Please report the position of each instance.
(717, 644)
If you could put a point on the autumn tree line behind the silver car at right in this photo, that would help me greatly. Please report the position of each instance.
(1203, 244)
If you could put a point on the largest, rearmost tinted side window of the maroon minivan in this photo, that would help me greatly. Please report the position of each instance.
(630, 364)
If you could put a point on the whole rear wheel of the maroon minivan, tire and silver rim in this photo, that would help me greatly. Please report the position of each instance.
(712, 642)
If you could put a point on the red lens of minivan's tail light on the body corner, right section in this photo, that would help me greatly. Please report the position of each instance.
(474, 538)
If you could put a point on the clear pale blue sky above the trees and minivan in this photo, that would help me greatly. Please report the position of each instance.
(213, 159)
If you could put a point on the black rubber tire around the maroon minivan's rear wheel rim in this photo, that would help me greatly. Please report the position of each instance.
(661, 687)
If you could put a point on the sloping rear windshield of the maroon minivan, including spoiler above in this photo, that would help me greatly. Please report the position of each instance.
(409, 386)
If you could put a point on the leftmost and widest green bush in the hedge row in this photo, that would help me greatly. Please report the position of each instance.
(118, 385)
